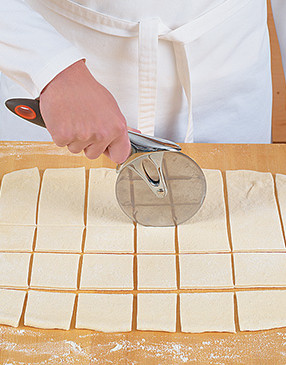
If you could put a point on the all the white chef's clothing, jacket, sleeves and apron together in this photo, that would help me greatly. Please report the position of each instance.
(186, 70)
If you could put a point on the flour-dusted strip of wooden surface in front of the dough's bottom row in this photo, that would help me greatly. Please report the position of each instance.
(77, 347)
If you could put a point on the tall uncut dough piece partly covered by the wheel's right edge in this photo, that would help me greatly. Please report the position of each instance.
(206, 231)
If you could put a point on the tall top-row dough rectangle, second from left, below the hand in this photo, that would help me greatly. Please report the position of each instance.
(62, 197)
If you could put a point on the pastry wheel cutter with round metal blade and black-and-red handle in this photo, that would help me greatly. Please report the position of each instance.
(156, 186)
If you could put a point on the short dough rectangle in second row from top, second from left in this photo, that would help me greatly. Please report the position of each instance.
(57, 238)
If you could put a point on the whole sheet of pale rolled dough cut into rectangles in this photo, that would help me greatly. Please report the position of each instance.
(255, 225)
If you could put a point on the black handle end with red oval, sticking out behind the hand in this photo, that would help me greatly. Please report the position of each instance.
(28, 109)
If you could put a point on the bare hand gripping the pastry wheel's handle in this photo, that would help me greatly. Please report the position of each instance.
(82, 114)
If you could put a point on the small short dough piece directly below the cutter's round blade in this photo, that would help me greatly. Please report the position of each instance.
(155, 239)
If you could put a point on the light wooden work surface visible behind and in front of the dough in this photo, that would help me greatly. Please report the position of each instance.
(25, 345)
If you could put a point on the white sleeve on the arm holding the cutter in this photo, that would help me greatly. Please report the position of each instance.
(32, 52)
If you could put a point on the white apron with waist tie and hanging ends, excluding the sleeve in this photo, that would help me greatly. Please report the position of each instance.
(208, 80)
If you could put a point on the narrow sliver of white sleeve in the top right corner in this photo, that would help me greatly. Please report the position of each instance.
(279, 14)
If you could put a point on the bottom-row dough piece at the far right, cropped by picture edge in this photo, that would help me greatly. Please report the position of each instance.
(261, 310)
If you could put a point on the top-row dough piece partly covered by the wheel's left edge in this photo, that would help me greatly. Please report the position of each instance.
(102, 206)
